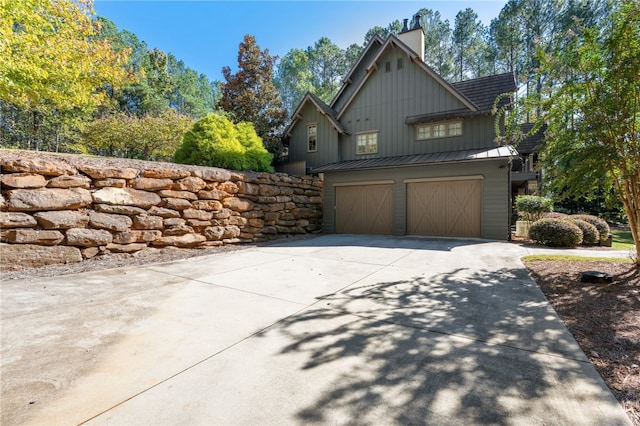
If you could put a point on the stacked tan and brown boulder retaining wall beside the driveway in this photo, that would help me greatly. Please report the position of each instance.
(63, 208)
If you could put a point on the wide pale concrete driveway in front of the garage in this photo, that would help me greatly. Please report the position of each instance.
(338, 329)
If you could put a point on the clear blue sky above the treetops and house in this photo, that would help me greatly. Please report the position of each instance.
(206, 34)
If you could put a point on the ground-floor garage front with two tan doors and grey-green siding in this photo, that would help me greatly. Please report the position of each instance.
(461, 199)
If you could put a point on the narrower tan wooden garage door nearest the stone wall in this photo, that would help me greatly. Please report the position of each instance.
(364, 209)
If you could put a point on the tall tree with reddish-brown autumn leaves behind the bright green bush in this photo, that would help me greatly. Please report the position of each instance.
(250, 94)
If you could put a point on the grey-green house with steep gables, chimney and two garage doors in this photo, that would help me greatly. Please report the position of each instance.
(404, 152)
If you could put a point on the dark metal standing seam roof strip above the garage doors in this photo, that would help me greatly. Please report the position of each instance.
(506, 151)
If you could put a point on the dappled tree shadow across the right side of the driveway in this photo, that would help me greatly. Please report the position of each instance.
(481, 348)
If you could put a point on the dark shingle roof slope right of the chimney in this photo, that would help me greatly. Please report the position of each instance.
(483, 91)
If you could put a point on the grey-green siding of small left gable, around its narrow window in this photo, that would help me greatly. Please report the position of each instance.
(327, 139)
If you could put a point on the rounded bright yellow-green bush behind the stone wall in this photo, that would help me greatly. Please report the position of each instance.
(215, 141)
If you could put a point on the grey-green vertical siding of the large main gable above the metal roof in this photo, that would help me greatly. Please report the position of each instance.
(388, 98)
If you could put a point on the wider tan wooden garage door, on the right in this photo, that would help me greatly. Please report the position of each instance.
(444, 208)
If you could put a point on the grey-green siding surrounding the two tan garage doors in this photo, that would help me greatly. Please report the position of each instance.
(494, 187)
